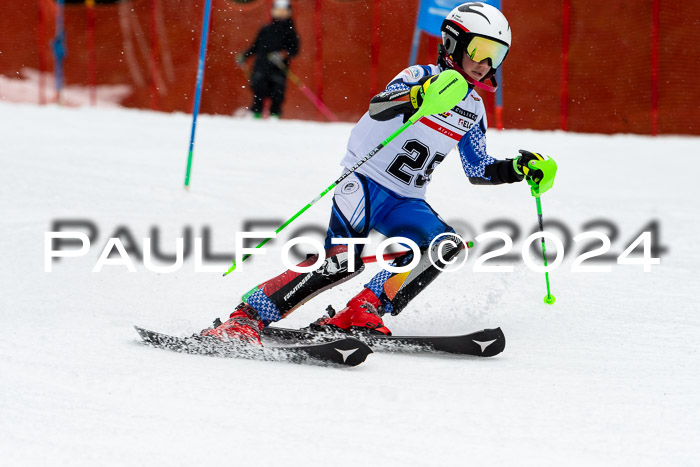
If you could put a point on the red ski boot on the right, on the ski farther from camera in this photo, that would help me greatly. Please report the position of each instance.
(360, 314)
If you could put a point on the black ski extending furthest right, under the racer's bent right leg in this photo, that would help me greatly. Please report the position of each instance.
(486, 343)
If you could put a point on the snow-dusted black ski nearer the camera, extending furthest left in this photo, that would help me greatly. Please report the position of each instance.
(343, 350)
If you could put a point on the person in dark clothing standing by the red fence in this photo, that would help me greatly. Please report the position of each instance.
(273, 48)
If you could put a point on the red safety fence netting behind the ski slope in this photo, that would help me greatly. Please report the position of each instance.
(614, 78)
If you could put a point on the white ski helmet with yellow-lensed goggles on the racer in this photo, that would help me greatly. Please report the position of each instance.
(478, 29)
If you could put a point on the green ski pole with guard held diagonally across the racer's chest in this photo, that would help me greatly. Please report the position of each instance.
(444, 93)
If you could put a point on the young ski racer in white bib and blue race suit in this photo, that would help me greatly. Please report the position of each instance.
(387, 192)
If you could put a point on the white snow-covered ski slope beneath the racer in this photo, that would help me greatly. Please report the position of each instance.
(606, 376)
